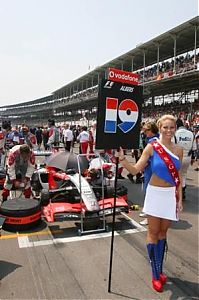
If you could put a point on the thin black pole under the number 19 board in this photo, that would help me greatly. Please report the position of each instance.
(113, 226)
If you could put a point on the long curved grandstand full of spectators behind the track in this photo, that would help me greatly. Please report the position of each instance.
(169, 73)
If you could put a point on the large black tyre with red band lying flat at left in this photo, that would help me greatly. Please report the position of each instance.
(21, 214)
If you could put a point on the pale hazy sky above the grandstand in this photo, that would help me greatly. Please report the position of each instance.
(45, 44)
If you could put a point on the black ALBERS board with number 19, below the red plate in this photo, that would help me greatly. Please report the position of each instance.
(118, 116)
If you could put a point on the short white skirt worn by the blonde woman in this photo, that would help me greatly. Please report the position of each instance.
(160, 202)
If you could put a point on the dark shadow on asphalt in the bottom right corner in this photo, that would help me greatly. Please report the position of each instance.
(190, 289)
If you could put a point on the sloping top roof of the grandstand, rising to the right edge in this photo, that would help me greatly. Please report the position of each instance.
(185, 39)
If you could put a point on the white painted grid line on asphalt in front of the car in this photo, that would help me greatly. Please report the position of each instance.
(24, 241)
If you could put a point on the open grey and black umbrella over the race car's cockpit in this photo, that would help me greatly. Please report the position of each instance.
(67, 160)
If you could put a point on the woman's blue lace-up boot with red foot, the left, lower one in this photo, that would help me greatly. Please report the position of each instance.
(153, 256)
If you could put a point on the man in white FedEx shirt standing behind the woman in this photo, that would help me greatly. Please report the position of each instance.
(185, 138)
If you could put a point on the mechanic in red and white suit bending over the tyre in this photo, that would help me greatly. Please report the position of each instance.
(21, 165)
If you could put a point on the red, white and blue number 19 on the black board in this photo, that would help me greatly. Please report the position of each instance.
(127, 112)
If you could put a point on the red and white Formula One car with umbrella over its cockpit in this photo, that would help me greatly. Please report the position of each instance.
(69, 188)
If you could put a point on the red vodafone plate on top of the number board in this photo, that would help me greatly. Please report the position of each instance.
(123, 76)
